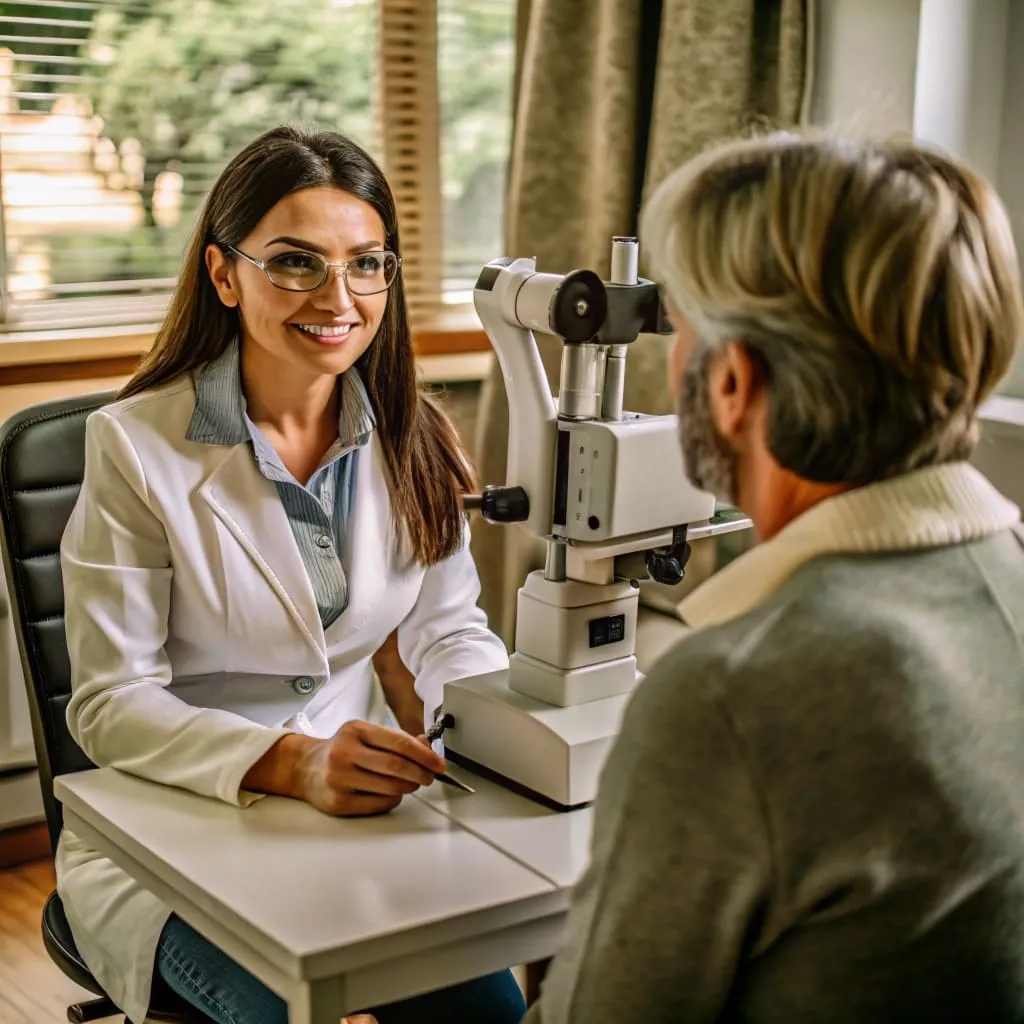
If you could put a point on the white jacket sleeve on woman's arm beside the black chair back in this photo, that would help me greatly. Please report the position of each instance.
(117, 575)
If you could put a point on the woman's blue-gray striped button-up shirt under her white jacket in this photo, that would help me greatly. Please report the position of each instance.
(319, 511)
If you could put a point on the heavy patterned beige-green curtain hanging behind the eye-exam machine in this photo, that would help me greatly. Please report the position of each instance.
(613, 95)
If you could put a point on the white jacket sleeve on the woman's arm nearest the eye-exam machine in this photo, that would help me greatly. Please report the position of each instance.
(446, 635)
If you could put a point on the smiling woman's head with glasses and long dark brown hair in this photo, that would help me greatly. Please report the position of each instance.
(308, 202)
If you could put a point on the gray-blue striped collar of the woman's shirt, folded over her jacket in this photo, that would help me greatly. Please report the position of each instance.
(220, 417)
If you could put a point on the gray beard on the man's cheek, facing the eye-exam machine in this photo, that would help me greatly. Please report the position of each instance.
(708, 461)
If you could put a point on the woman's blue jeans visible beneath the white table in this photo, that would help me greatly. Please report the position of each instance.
(212, 983)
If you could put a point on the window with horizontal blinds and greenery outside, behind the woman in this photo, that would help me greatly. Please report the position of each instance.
(116, 116)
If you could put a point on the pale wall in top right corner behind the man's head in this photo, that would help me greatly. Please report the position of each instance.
(950, 71)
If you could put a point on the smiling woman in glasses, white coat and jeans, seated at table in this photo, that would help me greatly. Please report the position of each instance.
(270, 503)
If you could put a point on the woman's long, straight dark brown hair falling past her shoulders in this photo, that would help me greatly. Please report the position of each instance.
(428, 467)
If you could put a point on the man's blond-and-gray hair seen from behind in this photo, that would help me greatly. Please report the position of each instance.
(877, 284)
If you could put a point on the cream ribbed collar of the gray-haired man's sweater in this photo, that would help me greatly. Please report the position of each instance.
(929, 508)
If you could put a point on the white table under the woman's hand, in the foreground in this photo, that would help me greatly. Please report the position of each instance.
(337, 915)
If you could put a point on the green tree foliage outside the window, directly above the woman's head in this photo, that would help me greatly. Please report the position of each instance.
(195, 82)
